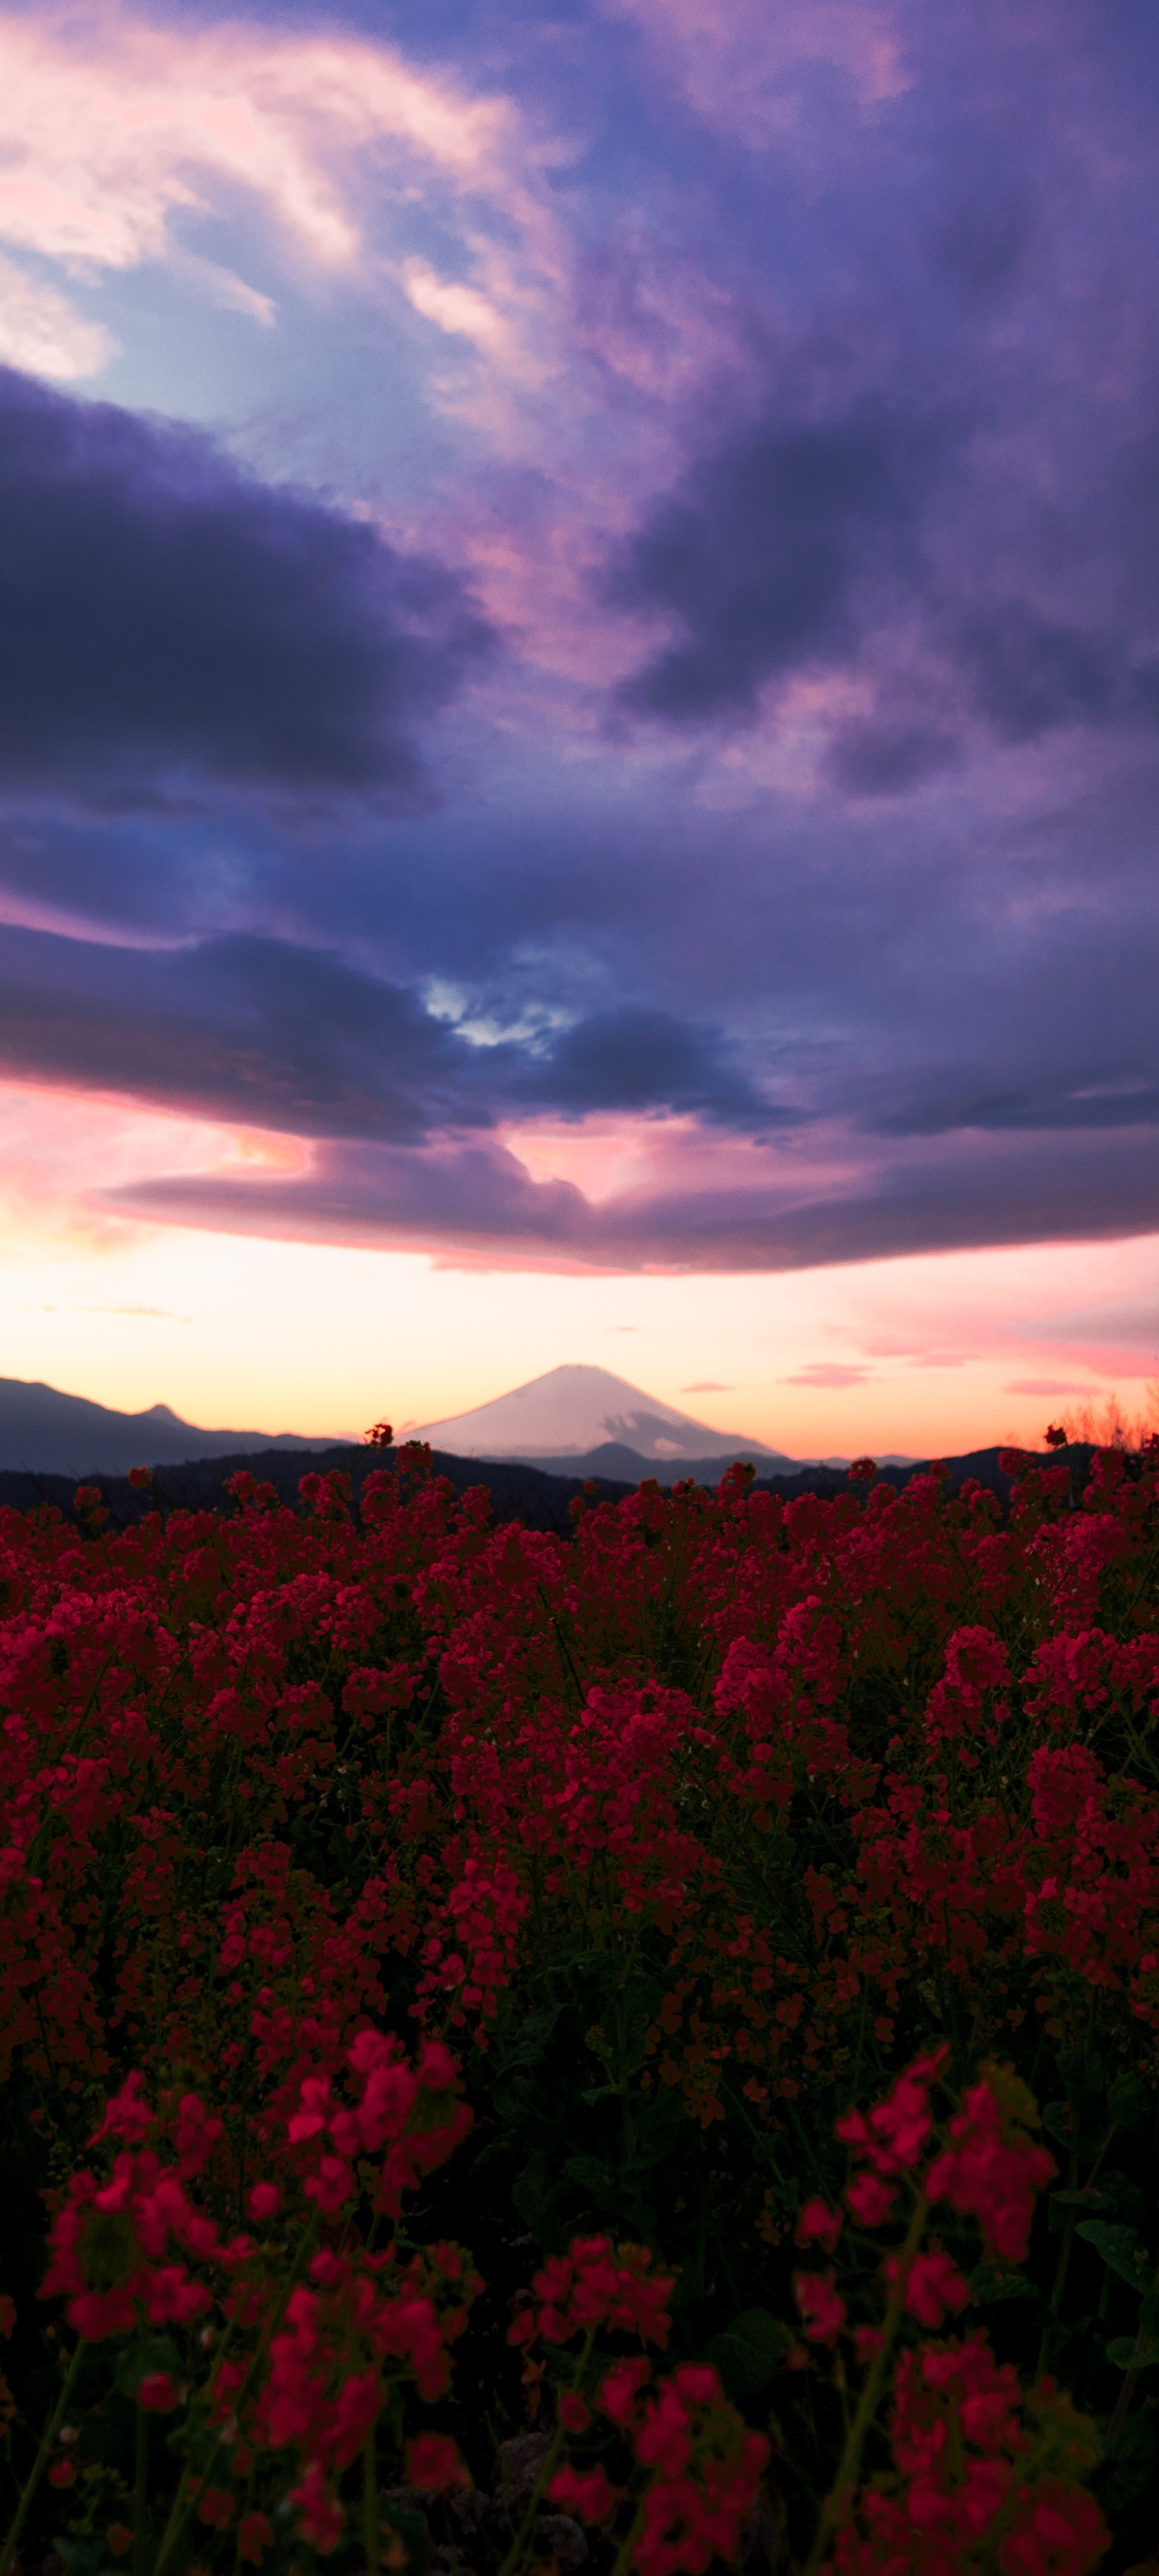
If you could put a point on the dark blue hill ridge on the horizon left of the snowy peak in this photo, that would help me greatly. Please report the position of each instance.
(48, 1434)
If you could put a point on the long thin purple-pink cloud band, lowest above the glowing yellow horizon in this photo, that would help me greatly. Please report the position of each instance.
(480, 1202)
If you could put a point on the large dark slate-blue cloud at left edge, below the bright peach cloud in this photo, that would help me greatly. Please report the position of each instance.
(169, 622)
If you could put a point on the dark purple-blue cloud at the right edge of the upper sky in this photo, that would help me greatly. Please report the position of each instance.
(877, 542)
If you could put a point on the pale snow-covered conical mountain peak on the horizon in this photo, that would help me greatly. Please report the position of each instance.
(576, 1413)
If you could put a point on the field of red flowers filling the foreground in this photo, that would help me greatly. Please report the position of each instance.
(627, 2054)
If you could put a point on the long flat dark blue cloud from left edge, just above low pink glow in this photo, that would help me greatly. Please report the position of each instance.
(308, 1045)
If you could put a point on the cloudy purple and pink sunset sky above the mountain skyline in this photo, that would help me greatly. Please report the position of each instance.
(578, 710)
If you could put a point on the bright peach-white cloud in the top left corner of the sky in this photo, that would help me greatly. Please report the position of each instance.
(115, 128)
